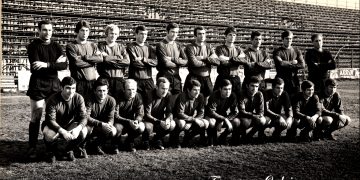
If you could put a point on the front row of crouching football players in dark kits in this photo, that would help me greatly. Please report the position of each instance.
(73, 121)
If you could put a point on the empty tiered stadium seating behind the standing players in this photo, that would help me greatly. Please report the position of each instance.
(339, 26)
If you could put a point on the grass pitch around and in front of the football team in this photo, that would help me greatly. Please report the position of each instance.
(316, 160)
